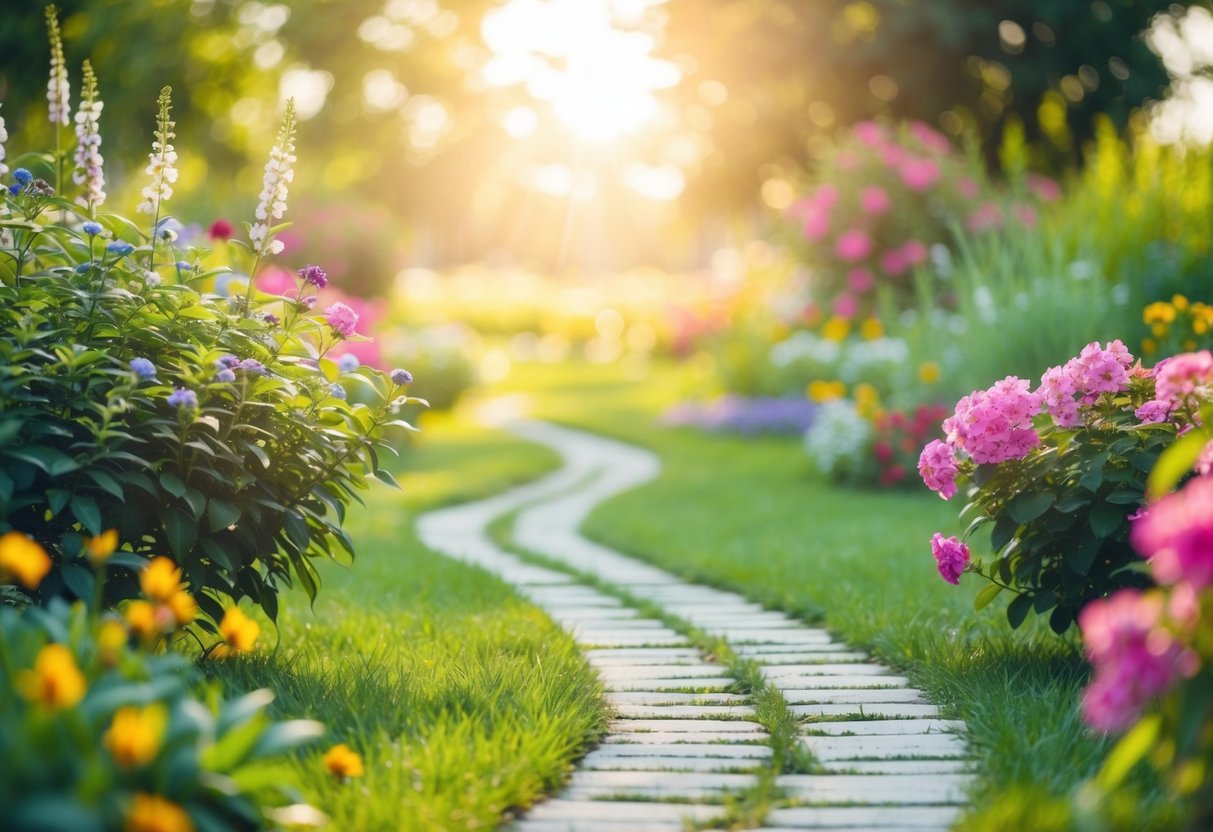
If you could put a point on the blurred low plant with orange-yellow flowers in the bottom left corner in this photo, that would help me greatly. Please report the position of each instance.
(106, 737)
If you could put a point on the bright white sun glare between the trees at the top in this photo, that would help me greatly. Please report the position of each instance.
(583, 59)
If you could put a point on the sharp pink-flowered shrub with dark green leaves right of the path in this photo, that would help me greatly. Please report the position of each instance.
(1057, 472)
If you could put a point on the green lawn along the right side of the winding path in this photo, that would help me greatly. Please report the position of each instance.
(754, 516)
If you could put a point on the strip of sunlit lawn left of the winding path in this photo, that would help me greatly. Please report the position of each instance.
(463, 699)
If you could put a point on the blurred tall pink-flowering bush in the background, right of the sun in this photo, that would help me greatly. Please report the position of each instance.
(885, 200)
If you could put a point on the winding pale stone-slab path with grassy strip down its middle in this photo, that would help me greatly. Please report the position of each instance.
(682, 740)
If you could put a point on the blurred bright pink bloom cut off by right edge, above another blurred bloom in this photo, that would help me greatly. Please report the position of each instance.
(1177, 535)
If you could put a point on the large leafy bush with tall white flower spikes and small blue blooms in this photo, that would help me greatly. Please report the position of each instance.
(208, 429)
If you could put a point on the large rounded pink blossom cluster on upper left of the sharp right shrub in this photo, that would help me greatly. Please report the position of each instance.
(995, 425)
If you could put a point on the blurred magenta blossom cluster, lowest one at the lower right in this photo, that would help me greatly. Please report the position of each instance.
(1135, 656)
